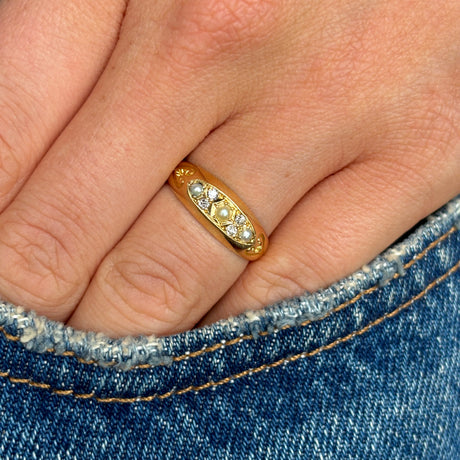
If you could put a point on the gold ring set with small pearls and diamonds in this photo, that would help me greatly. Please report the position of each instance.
(219, 209)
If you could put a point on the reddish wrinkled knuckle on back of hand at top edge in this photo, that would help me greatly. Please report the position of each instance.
(210, 27)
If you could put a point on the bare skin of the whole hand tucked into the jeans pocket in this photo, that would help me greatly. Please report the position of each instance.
(337, 122)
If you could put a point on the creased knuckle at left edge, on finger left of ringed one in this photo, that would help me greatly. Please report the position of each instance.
(39, 271)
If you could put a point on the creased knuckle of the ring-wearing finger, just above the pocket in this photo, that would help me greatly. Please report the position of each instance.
(146, 288)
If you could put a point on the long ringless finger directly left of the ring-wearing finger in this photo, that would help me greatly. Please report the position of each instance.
(152, 105)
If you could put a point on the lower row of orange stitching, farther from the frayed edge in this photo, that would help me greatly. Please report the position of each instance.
(251, 371)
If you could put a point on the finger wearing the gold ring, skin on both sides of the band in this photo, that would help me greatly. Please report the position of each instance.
(168, 270)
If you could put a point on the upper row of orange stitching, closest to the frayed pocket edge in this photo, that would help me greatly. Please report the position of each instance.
(237, 340)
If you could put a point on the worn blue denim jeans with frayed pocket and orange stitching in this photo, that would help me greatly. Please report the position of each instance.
(368, 368)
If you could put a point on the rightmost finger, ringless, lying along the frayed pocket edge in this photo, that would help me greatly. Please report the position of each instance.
(340, 225)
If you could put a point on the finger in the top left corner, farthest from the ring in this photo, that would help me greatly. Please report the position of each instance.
(51, 53)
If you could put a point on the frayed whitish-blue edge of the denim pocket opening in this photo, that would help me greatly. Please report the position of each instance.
(39, 334)
